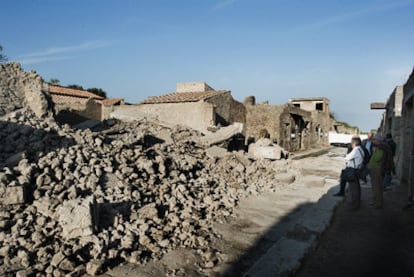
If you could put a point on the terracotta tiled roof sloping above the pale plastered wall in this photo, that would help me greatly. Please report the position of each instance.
(180, 97)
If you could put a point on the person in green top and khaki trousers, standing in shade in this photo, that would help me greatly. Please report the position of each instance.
(375, 166)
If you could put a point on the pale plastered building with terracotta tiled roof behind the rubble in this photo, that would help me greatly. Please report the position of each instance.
(196, 105)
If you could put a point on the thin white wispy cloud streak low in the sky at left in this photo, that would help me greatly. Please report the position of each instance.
(59, 53)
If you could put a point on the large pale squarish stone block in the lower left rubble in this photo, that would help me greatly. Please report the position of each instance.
(78, 217)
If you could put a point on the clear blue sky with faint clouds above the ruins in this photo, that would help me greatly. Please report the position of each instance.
(353, 52)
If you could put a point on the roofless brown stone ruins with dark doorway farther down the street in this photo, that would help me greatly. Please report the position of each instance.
(301, 124)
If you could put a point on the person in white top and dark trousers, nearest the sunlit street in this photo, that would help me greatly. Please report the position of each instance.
(354, 162)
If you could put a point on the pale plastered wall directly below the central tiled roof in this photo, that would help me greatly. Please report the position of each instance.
(196, 115)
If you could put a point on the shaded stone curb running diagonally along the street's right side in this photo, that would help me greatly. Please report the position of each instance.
(285, 257)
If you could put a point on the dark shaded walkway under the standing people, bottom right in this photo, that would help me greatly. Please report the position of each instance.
(366, 242)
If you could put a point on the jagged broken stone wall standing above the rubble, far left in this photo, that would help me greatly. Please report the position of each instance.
(20, 89)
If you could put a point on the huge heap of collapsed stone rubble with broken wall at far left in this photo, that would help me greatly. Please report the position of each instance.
(76, 201)
